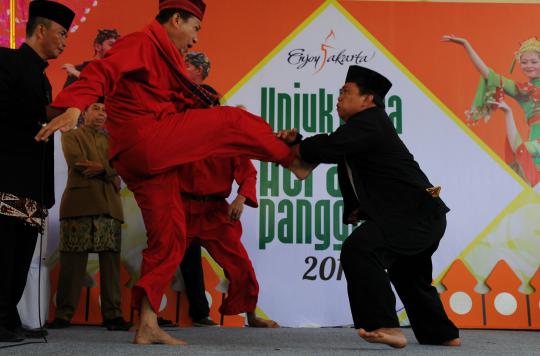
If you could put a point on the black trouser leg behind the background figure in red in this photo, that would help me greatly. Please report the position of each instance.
(192, 272)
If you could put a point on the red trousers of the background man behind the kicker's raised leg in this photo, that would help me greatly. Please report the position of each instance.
(209, 225)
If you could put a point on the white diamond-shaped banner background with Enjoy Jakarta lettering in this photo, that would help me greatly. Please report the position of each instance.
(445, 152)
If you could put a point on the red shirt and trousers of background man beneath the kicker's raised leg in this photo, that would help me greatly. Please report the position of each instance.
(205, 185)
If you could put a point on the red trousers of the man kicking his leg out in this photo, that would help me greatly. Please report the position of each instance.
(149, 170)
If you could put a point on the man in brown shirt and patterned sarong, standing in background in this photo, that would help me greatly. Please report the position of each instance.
(90, 221)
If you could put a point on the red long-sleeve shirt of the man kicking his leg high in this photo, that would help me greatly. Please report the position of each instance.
(141, 79)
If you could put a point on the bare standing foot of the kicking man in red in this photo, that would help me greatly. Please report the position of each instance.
(149, 332)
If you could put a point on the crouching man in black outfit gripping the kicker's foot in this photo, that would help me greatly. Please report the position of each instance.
(403, 217)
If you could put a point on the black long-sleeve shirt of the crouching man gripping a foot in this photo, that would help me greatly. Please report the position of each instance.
(378, 177)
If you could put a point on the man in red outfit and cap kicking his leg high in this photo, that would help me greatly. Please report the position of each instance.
(159, 120)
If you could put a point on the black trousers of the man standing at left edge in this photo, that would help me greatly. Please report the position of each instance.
(18, 244)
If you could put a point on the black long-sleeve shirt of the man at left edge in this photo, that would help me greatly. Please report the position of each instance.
(27, 166)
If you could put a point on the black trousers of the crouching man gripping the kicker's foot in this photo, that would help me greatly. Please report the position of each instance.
(370, 266)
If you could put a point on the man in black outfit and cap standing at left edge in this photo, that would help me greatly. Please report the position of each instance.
(27, 178)
